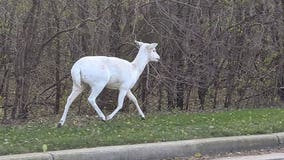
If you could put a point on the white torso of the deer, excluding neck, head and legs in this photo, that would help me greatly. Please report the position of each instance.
(100, 69)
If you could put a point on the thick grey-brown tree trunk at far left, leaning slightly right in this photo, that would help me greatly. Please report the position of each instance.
(25, 62)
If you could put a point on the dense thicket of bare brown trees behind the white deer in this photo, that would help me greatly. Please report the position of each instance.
(215, 54)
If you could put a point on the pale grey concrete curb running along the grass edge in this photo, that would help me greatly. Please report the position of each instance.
(161, 150)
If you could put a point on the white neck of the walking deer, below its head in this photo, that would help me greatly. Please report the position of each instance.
(140, 62)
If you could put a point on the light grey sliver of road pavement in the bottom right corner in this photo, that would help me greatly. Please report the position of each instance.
(270, 156)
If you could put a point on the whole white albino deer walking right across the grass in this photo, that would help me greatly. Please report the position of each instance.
(111, 72)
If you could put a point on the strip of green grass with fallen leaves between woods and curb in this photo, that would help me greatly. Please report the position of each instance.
(81, 132)
